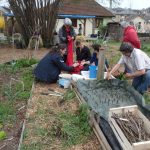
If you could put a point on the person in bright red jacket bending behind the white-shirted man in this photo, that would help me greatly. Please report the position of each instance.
(130, 35)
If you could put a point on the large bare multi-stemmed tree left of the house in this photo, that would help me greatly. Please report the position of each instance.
(33, 14)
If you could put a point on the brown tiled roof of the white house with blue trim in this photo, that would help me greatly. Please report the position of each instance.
(84, 7)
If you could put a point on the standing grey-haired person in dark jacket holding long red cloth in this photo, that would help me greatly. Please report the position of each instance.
(67, 35)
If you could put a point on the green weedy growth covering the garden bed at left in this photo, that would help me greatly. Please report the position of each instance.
(18, 90)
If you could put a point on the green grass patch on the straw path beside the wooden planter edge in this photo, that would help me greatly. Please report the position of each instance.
(73, 128)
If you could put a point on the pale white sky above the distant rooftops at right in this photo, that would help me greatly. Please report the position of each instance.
(133, 4)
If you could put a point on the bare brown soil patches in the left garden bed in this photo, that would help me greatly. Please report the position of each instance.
(13, 128)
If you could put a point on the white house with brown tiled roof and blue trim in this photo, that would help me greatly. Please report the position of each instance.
(88, 15)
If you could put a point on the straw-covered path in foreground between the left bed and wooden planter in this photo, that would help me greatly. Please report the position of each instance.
(41, 115)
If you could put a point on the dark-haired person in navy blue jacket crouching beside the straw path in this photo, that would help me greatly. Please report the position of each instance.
(52, 64)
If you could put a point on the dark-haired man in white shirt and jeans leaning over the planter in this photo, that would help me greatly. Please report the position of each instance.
(137, 67)
